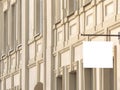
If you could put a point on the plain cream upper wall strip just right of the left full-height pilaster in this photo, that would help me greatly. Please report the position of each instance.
(31, 18)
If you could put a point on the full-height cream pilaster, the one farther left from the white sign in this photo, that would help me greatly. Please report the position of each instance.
(25, 18)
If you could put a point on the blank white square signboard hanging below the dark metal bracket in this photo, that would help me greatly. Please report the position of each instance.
(97, 54)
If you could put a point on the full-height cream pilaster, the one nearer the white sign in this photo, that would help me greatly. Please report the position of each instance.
(49, 57)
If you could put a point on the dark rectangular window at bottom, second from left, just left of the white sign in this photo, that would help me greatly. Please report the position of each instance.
(72, 81)
